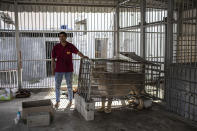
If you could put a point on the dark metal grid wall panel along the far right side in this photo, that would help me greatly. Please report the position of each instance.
(181, 59)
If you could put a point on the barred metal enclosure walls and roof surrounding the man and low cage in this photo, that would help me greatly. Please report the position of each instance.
(162, 32)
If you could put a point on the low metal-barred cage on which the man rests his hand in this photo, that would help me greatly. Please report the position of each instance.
(114, 78)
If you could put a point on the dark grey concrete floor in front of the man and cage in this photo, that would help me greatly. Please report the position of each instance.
(155, 119)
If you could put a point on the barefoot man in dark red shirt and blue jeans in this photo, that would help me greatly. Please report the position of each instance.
(62, 65)
